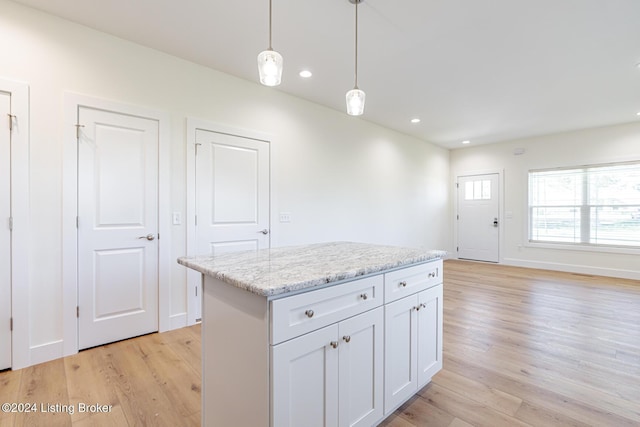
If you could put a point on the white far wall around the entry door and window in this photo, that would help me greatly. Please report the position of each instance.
(585, 147)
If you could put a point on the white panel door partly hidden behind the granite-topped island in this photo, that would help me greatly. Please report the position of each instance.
(232, 193)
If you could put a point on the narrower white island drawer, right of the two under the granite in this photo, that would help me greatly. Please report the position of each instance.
(407, 281)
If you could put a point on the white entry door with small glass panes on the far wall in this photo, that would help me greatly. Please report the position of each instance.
(479, 217)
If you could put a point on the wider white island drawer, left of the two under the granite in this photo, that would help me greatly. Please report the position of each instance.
(306, 312)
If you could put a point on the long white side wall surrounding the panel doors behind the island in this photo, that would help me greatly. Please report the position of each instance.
(341, 178)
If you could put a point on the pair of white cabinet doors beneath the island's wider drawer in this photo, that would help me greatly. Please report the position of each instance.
(330, 377)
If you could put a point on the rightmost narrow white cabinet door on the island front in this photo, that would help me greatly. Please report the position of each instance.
(429, 334)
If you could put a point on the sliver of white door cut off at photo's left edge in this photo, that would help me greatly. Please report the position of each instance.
(5, 232)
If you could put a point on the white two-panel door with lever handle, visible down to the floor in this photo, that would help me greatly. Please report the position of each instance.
(117, 226)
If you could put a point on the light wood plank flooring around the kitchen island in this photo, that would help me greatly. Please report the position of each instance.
(521, 347)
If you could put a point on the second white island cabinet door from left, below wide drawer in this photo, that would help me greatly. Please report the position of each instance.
(361, 369)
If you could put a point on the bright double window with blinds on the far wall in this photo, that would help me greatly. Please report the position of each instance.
(591, 205)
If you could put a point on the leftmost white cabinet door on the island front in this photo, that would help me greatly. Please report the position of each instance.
(305, 380)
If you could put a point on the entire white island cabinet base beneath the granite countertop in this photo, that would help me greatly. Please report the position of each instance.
(342, 355)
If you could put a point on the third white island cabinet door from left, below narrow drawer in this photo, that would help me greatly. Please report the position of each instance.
(400, 357)
